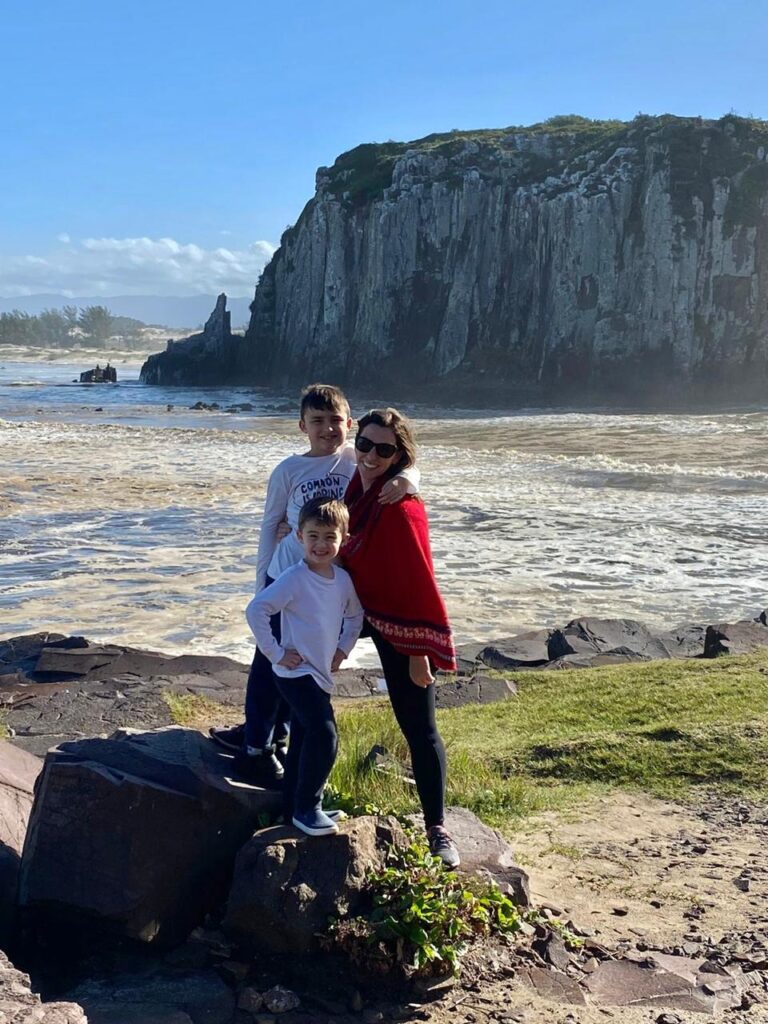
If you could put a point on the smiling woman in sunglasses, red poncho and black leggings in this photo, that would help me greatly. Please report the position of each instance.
(391, 562)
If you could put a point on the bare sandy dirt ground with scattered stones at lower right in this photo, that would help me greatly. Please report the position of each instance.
(645, 879)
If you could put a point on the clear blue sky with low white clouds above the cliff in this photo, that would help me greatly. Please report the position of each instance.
(163, 148)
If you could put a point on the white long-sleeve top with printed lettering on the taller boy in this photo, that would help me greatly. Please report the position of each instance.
(292, 484)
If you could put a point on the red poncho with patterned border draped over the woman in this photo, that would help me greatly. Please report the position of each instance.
(391, 562)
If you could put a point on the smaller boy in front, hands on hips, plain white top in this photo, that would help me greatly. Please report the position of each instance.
(321, 620)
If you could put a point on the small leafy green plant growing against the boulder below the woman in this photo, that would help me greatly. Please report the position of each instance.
(423, 917)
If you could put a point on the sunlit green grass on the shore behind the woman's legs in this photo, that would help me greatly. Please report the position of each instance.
(661, 728)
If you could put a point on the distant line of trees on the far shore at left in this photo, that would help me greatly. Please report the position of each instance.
(65, 328)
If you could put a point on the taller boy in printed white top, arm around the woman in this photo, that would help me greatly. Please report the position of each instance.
(325, 471)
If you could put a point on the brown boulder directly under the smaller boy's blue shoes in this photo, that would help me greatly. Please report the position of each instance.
(287, 886)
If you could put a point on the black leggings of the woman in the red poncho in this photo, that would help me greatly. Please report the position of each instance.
(414, 709)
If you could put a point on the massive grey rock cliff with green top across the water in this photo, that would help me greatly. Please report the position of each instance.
(573, 255)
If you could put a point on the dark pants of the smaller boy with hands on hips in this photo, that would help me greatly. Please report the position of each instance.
(314, 744)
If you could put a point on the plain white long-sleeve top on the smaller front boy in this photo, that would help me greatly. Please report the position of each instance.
(318, 615)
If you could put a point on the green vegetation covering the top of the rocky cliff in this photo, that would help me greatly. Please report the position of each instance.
(362, 175)
